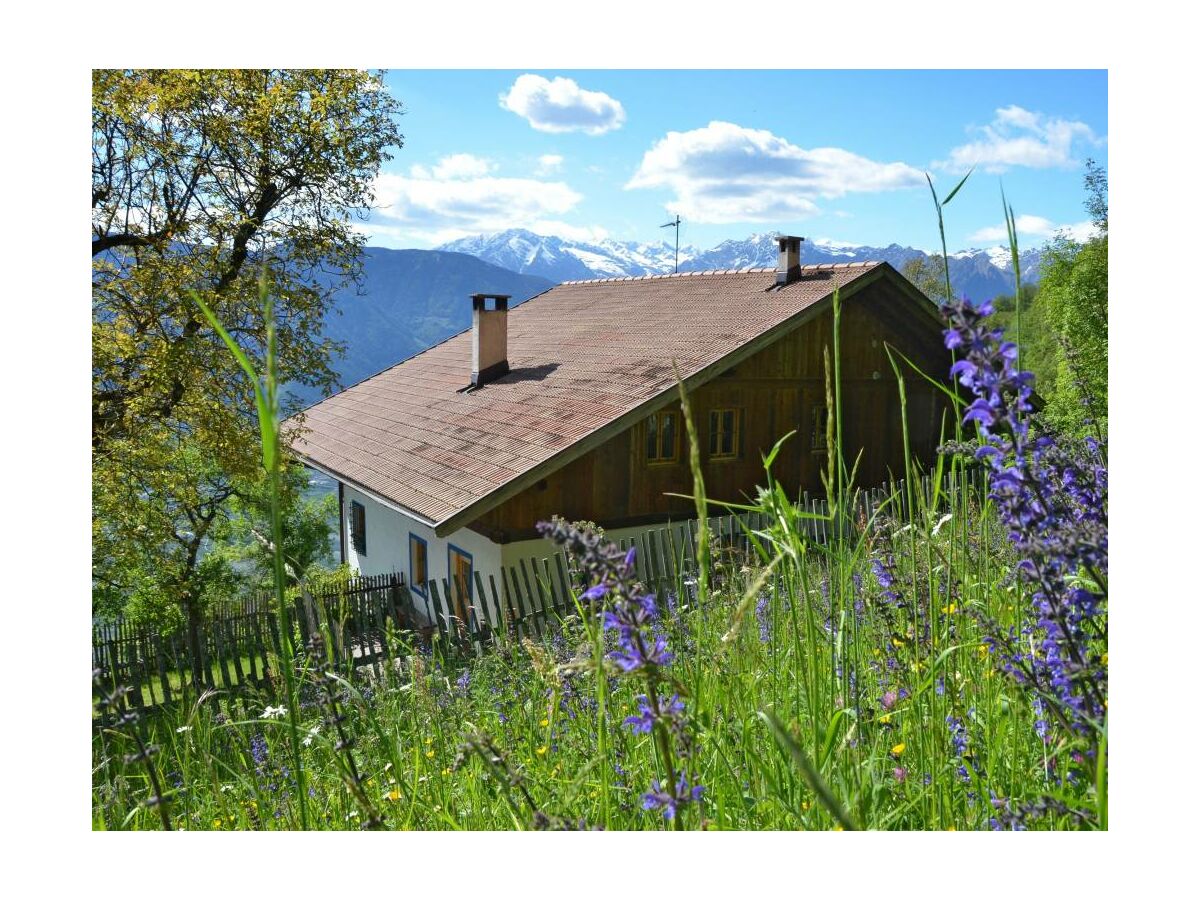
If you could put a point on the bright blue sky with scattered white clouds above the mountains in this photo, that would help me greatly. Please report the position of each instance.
(837, 155)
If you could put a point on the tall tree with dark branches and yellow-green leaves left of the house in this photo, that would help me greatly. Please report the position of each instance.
(207, 182)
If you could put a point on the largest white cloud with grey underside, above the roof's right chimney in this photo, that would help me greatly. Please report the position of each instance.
(724, 173)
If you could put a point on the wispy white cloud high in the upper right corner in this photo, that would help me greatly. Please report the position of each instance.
(1019, 137)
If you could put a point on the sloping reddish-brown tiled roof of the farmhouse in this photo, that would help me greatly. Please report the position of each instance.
(583, 356)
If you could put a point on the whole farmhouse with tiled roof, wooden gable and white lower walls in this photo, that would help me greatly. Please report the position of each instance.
(568, 405)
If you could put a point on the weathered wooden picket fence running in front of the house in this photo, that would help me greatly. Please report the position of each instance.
(370, 623)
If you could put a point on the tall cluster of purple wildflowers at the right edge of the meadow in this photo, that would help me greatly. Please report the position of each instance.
(1054, 503)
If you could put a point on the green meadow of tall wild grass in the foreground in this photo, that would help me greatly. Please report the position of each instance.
(845, 685)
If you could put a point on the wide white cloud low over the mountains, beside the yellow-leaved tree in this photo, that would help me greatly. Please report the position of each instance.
(460, 196)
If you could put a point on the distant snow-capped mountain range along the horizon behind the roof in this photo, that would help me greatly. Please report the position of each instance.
(977, 274)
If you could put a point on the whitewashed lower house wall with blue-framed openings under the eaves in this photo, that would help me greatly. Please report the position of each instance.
(387, 539)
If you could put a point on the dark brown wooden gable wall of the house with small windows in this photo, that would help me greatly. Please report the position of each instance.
(628, 479)
